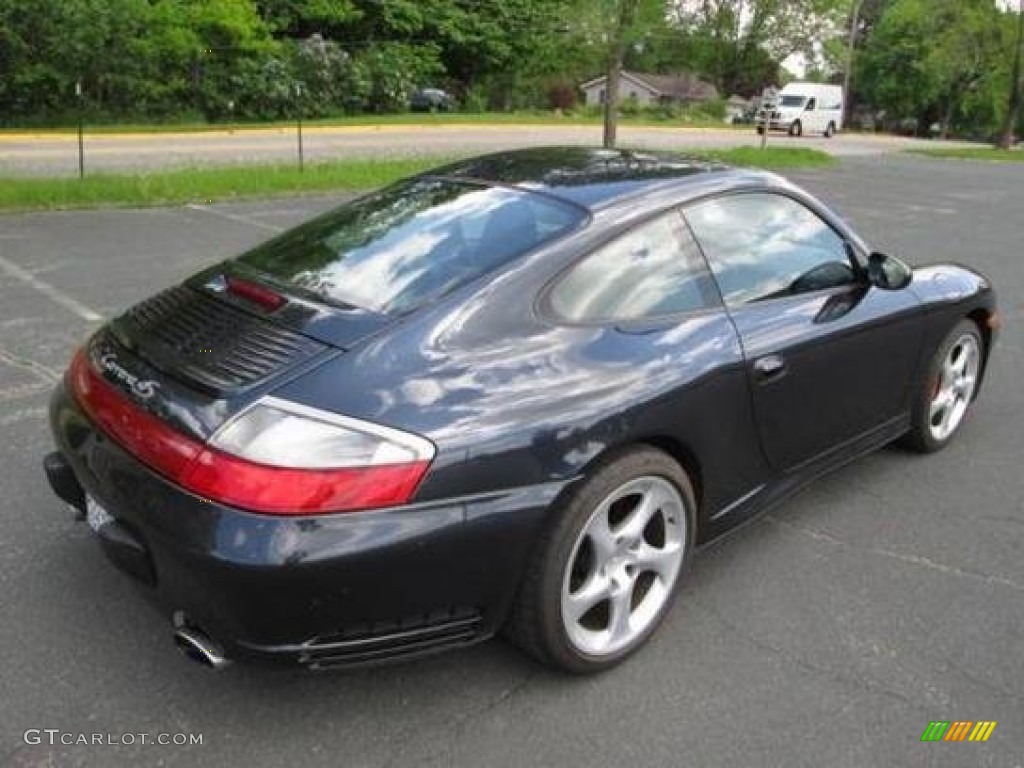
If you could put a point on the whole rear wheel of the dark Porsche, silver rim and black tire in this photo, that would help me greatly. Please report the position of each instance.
(606, 573)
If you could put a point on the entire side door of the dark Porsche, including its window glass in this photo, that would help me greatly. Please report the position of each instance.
(829, 357)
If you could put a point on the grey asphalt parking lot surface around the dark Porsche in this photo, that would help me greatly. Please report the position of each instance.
(828, 633)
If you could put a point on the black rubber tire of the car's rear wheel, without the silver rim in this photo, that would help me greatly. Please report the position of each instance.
(537, 624)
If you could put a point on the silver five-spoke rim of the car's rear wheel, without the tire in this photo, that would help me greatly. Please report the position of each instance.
(624, 566)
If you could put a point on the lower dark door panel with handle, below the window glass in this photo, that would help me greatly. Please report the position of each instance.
(847, 360)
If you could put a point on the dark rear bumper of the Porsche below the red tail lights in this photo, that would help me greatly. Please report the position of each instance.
(327, 590)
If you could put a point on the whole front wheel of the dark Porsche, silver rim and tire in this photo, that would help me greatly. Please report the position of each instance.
(949, 390)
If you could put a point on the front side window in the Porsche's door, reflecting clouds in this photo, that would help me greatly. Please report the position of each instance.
(764, 246)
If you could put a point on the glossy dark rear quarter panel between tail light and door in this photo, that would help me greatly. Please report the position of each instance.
(514, 399)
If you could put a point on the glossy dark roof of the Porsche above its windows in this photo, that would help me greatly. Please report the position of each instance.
(588, 177)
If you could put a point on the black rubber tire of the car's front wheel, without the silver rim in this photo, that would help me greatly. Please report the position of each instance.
(924, 436)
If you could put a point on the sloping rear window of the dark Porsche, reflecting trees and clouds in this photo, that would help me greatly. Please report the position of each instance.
(393, 251)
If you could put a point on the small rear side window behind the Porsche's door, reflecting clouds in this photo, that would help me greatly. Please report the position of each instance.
(655, 270)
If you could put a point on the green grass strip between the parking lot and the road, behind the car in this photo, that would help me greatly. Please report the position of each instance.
(208, 185)
